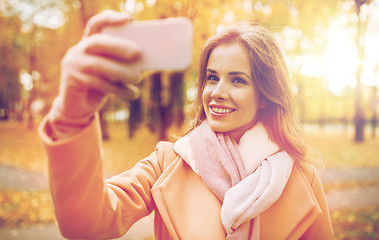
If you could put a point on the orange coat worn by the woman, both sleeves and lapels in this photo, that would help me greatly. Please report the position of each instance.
(87, 207)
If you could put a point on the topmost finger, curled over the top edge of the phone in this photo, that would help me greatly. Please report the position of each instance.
(107, 17)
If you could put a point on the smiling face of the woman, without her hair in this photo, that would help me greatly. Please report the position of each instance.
(230, 99)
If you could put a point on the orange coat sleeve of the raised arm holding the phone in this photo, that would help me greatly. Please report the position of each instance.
(85, 205)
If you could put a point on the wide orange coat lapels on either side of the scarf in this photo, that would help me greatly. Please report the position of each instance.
(191, 211)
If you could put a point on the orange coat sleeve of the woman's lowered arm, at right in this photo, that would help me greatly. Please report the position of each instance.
(322, 227)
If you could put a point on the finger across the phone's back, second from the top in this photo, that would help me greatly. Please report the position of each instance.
(112, 47)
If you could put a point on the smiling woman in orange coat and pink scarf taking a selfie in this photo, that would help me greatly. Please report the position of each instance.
(240, 173)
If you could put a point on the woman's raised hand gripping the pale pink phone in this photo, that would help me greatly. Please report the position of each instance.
(99, 64)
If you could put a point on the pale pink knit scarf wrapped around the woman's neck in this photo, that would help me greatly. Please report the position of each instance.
(216, 158)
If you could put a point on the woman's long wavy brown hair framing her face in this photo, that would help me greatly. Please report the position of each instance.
(271, 79)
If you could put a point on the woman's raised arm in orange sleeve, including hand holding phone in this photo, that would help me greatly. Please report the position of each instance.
(85, 205)
